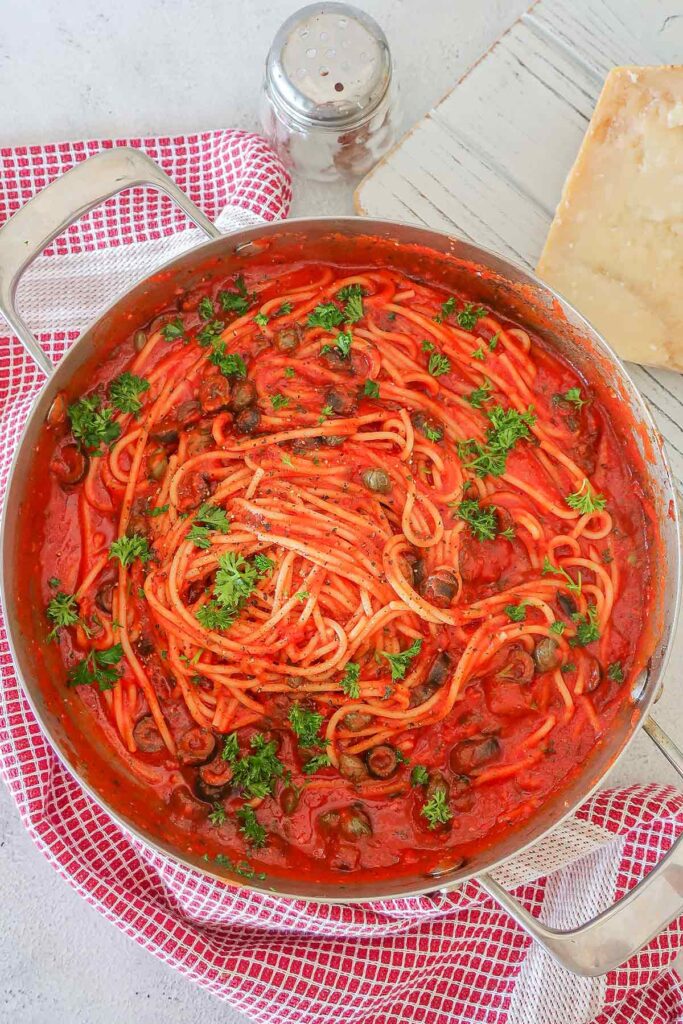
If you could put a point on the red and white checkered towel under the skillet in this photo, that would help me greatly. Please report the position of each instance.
(445, 958)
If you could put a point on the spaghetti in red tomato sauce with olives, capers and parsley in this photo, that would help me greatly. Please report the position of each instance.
(344, 538)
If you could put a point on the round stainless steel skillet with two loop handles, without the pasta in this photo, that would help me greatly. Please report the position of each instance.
(612, 937)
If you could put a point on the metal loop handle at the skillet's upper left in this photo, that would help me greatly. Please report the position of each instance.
(64, 201)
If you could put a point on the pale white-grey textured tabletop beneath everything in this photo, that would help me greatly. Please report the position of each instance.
(79, 69)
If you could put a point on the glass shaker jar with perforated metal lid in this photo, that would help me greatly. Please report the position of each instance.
(330, 105)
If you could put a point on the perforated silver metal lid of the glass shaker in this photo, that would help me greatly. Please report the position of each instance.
(329, 66)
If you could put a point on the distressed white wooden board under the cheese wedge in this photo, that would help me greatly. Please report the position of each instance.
(489, 163)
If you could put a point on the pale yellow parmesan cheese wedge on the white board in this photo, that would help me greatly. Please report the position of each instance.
(616, 246)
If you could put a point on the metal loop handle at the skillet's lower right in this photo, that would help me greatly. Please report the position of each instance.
(614, 936)
